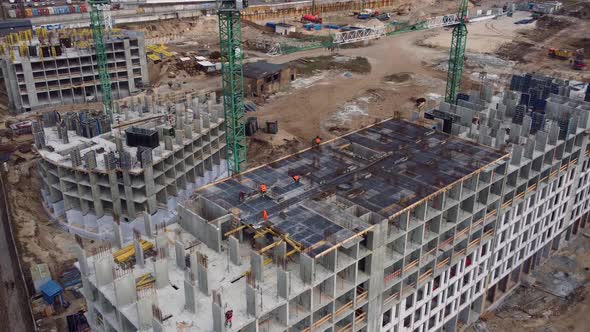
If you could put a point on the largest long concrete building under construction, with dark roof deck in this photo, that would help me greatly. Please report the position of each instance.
(395, 227)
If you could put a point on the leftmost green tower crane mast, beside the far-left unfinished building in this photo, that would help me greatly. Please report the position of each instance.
(97, 26)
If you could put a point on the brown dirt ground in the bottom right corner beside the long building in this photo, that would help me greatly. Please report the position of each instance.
(535, 309)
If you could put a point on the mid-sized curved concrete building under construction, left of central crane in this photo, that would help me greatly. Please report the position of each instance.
(154, 156)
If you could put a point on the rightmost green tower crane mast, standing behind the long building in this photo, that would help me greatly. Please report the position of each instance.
(457, 55)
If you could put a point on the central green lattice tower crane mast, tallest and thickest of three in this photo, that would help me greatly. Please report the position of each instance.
(232, 76)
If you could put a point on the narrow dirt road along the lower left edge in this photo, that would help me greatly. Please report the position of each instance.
(15, 313)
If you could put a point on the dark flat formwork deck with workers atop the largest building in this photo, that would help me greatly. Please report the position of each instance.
(385, 169)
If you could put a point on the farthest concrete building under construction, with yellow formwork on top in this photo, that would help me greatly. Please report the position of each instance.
(44, 68)
